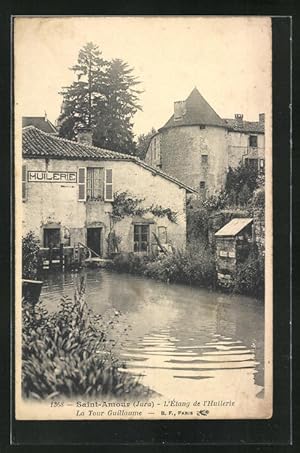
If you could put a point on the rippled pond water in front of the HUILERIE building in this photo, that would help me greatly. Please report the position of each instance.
(176, 337)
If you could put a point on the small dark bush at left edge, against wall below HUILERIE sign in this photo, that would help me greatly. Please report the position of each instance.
(30, 250)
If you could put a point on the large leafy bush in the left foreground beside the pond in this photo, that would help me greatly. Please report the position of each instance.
(69, 353)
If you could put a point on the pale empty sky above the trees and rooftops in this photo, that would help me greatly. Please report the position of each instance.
(227, 59)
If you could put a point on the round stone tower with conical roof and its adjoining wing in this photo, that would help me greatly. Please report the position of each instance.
(197, 146)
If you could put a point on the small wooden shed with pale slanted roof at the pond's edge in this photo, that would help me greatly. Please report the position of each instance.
(233, 244)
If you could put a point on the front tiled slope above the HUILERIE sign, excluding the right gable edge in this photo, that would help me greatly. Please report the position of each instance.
(37, 143)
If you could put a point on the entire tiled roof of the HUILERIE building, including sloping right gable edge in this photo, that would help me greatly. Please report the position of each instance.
(38, 144)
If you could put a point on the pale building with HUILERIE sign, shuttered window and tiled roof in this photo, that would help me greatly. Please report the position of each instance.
(68, 192)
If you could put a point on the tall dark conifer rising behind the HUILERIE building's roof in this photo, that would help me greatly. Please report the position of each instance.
(104, 98)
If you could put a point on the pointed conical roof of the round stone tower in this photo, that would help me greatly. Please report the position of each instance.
(198, 112)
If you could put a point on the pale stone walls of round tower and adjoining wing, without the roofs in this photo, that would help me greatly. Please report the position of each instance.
(179, 152)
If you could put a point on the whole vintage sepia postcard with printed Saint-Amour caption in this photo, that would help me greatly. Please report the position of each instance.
(143, 227)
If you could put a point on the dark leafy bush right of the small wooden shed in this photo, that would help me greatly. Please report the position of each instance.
(249, 278)
